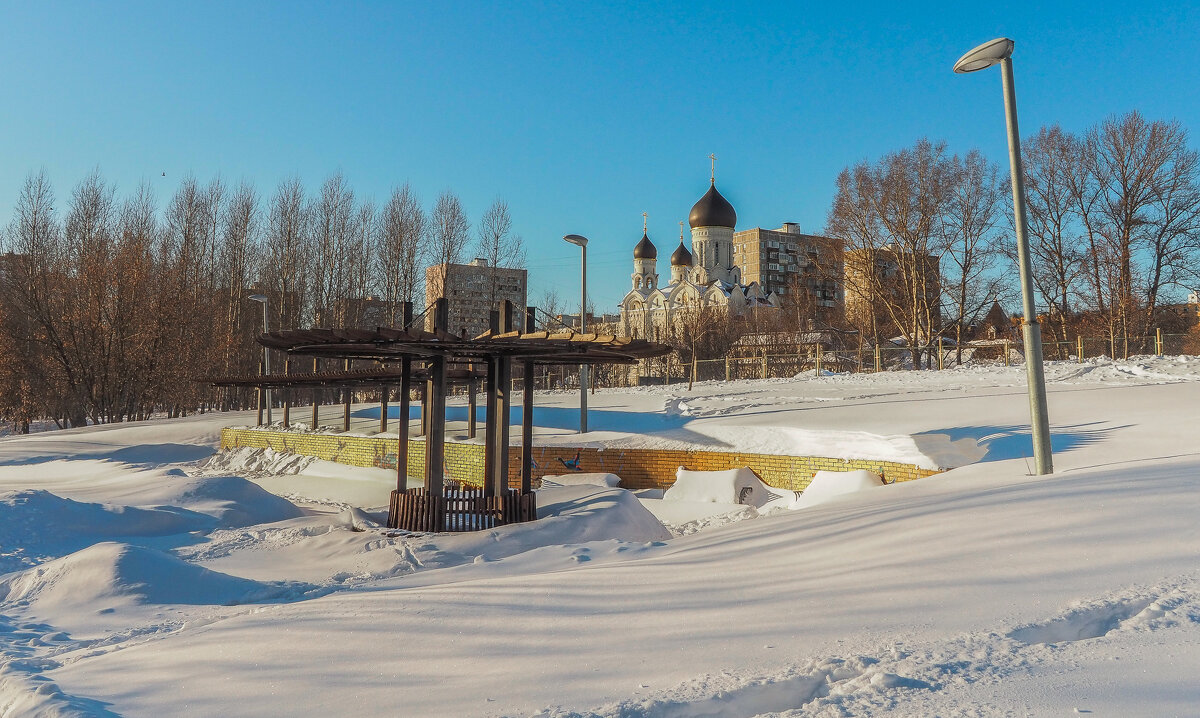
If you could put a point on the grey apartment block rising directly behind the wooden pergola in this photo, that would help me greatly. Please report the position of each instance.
(473, 291)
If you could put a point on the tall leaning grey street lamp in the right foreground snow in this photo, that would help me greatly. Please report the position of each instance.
(994, 52)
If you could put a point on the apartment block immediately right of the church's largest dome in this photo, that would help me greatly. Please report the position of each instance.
(796, 267)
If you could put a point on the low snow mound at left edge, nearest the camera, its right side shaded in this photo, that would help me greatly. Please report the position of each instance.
(110, 576)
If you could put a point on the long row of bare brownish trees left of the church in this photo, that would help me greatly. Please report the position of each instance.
(112, 307)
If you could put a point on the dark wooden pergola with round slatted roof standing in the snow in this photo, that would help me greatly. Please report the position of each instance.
(440, 358)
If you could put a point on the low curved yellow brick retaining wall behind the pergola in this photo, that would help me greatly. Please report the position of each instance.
(638, 469)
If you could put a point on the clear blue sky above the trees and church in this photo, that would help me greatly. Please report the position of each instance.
(581, 116)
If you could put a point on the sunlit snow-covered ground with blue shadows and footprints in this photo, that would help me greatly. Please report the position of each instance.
(142, 577)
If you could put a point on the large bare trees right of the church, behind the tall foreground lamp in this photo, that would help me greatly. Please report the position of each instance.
(1114, 217)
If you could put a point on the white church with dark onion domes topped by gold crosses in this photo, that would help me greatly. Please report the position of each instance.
(706, 277)
